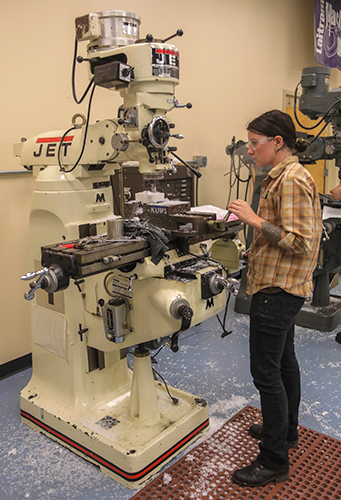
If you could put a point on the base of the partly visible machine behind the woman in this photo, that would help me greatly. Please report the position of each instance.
(323, 319)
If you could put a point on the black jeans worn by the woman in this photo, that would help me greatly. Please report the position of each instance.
(275, 372)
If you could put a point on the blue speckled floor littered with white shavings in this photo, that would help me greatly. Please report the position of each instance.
(34, 467)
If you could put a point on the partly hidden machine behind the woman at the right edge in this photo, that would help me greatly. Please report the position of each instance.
(318, 103)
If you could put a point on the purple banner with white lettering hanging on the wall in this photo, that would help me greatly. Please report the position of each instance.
(328, 33)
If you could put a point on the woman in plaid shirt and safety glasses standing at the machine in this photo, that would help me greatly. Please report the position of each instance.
(282, 258)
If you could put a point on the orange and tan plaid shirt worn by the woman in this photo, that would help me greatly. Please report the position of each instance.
(289, 199)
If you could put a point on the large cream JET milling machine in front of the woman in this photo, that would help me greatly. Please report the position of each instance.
(118, 284)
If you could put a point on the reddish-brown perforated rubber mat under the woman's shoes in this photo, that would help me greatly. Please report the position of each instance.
(205, 472)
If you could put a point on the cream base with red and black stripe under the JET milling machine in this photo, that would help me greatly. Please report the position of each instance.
(127, 451)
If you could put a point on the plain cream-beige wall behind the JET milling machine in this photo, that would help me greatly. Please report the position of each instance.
(236, 58)
